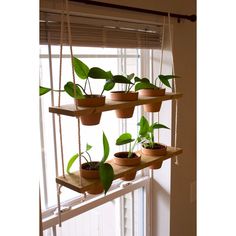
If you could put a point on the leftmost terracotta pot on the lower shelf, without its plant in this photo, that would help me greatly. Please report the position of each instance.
(88, 173)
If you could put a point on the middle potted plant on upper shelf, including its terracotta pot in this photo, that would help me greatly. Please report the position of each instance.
(126, 95)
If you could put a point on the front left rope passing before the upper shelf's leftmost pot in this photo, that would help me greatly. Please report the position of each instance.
(73, 73)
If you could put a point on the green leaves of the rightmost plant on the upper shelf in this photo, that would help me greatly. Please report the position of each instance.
(145, 83)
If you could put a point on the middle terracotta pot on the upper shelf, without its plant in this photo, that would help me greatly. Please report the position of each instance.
(123, 96)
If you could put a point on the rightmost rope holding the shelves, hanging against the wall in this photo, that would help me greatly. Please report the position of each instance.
(174, 90)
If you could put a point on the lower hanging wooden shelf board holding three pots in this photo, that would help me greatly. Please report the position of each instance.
(72, 181)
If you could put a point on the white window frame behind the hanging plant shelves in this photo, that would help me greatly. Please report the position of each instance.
(79, 205)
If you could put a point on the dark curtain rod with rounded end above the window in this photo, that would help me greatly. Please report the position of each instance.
(192, 18)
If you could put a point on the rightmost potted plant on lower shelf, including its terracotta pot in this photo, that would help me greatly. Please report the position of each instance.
(149, 146)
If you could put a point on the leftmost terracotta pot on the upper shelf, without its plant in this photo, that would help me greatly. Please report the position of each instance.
(91, 101)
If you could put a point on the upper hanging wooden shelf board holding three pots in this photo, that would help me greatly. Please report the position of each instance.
(70, 110)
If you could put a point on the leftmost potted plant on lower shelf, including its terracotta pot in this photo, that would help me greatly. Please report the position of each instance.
(94, 169)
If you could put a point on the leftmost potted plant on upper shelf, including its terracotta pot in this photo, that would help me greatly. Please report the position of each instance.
(83, 95)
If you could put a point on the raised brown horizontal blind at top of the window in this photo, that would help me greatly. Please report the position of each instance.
(97, 32)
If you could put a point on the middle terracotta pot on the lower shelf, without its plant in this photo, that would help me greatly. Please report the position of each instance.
(120, 158)
